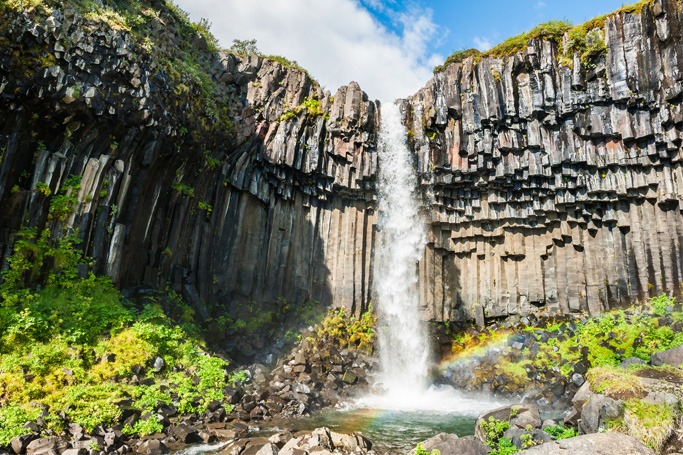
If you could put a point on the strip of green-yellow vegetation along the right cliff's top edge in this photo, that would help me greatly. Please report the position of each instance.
(586, 40)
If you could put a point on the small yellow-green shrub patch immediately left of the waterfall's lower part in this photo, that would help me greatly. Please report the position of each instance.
(348, 330)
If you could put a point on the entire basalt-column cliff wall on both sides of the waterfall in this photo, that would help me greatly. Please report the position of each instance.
(551, 187)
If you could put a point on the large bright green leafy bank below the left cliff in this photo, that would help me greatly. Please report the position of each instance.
(74, 346)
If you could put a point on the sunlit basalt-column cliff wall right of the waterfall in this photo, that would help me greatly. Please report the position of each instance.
(554, 187)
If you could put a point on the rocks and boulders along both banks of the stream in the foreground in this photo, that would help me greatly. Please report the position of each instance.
(638, 402)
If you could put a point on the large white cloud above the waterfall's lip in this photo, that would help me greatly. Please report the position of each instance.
(336, 40)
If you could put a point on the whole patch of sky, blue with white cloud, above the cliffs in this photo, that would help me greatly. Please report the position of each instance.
(388, 46)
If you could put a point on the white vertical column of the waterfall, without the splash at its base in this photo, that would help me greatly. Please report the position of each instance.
(402, 337)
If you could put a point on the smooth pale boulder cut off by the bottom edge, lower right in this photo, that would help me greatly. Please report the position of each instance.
(608, 443)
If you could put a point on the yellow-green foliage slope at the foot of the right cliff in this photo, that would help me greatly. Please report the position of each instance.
(605, 340)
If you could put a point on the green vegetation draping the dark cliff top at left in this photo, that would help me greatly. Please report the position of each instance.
(180, 52)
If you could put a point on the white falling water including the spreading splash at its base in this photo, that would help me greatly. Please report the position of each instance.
(403, 337)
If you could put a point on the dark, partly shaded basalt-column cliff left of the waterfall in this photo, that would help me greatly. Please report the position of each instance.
(276, 202)
